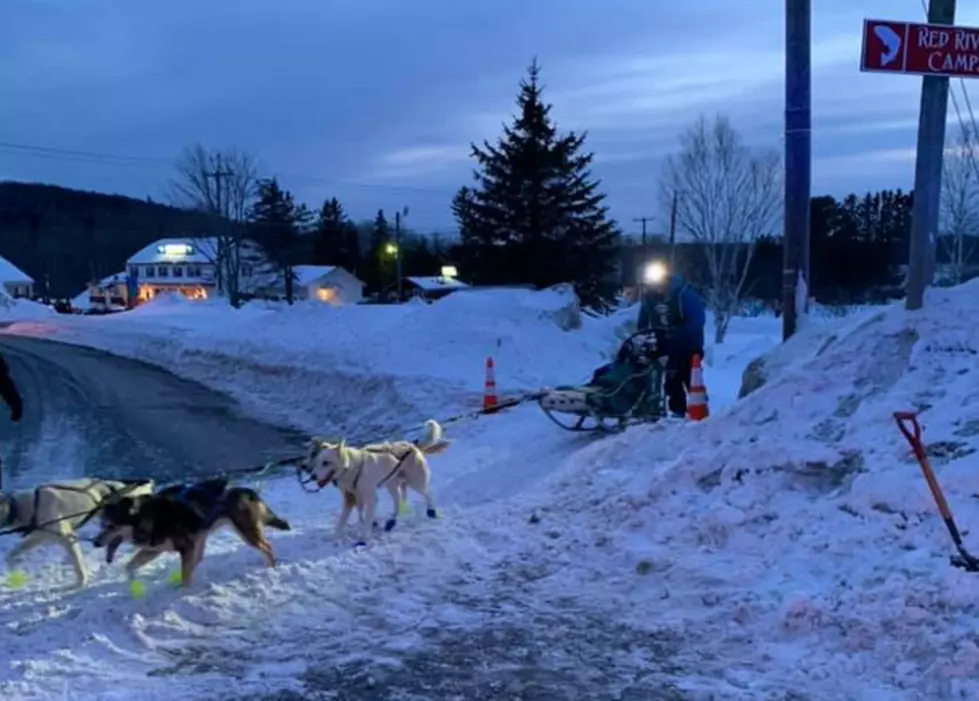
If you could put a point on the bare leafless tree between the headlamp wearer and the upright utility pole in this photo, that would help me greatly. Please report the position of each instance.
(727, 197)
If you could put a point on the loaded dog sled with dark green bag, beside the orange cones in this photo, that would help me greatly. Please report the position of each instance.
(625, 392)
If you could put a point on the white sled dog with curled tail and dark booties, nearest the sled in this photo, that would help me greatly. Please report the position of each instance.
(359, 472)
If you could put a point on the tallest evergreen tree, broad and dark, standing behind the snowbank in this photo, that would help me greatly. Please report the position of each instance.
(535, 214)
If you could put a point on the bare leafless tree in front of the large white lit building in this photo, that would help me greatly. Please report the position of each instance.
(222, 184)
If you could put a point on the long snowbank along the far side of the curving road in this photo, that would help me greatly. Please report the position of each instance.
(370, 367)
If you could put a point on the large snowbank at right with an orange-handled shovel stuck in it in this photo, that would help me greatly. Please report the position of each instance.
(792, 538)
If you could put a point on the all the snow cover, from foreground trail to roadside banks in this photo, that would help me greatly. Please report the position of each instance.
(786, 548)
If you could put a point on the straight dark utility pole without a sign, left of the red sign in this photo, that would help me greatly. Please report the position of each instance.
(798, 166)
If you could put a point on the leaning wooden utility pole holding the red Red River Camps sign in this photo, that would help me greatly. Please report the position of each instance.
(928, 171)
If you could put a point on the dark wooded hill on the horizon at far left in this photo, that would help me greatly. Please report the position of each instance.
(70, 237)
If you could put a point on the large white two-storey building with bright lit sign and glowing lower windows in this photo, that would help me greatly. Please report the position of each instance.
(190, 266)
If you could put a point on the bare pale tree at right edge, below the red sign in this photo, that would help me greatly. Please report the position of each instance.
(960, 201)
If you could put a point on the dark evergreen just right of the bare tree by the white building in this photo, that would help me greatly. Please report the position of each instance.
(277, 223)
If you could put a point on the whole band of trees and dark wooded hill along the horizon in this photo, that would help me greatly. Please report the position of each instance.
(533, 213)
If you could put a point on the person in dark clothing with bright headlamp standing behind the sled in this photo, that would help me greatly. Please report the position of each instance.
(674, 310)
